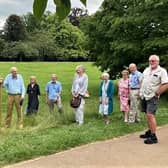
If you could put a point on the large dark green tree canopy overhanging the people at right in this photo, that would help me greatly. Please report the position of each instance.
(126, 31)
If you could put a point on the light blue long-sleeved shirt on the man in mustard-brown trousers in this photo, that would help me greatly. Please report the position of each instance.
(14, 85)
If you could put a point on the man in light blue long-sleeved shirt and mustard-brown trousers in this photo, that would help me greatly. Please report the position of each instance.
(16, 90)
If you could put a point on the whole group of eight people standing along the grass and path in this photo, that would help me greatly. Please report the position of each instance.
(133, 88)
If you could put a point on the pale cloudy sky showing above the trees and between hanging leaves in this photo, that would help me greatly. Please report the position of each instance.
(20, 7)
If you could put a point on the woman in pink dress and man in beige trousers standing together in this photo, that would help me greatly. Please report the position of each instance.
(128, 93)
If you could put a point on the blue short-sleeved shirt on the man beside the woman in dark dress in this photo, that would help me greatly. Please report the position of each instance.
(53, 89)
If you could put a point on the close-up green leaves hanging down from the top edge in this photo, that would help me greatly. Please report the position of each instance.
(62, 7)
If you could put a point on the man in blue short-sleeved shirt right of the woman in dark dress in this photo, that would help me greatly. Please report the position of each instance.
(53, 93)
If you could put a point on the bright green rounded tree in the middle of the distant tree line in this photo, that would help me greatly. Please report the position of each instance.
(70, 41)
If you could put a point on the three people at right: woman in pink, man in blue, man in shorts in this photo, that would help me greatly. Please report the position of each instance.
(145, 89)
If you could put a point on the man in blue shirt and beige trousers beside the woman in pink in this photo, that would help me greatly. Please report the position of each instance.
(134, 85)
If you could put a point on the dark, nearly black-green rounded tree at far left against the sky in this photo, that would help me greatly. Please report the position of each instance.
(14, 29)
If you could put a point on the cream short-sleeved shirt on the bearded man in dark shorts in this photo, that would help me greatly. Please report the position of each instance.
(151, 81)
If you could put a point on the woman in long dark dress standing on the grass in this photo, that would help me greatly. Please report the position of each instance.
(33, 91)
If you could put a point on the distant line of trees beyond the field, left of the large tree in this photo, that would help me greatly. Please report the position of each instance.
(25, 39)
